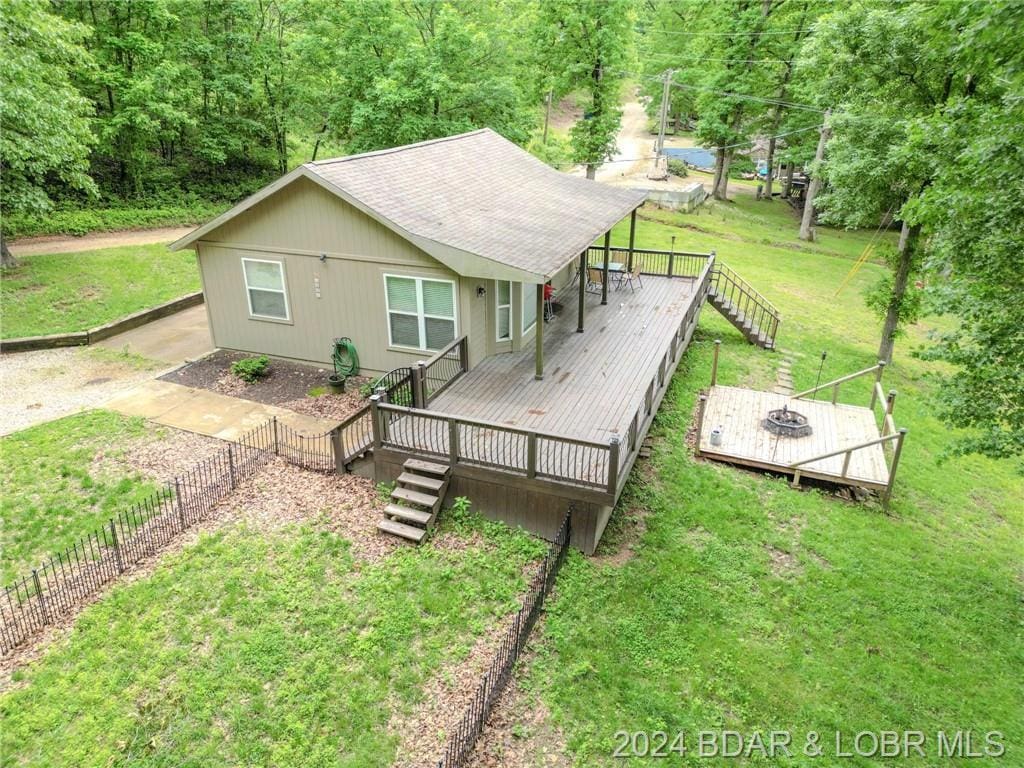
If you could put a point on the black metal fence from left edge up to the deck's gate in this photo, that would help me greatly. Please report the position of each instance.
(58, 586)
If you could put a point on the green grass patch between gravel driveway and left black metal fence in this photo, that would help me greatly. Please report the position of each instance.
(52, 493)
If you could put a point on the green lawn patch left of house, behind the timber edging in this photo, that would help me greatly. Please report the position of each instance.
(65, 293)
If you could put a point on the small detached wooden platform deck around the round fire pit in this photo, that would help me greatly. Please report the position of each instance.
(740, 413)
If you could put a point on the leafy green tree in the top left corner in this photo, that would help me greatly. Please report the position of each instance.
(45, 121)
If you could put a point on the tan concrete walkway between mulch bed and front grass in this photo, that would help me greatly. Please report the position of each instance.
(208, 413)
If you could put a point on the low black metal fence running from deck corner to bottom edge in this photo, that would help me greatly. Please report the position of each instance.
(463, 741)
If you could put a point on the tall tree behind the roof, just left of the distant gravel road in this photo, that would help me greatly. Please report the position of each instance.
(586, 46)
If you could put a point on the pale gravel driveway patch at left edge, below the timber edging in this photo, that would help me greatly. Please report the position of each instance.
(51, 383)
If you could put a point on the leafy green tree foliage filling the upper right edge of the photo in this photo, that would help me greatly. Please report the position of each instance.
(973, 214)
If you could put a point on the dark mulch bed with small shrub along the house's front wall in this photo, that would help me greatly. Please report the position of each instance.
(287, 386)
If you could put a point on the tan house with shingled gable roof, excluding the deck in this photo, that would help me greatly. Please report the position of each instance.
(401, 250)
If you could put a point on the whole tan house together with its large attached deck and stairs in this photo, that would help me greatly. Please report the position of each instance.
(438, 260)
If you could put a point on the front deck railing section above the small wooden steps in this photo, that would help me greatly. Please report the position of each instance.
(480, 444)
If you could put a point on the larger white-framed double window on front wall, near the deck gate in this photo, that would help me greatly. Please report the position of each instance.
(421, 313)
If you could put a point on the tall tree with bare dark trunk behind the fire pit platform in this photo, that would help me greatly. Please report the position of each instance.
(886, 69)
